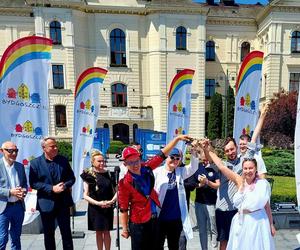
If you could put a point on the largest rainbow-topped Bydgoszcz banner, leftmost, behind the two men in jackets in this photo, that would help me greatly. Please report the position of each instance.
(24, 77)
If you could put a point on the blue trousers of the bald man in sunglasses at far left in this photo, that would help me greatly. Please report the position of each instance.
(13, 215)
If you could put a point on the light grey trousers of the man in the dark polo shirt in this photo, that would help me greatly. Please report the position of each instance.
(206, 220)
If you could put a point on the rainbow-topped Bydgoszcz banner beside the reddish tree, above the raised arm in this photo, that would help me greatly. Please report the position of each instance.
(247, 95)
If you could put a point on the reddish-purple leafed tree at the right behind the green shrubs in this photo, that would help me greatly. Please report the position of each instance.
(279, 126)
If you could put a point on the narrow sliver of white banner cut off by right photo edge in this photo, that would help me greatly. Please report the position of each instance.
(297, 153)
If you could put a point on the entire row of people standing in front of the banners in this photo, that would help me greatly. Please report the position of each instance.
(231, 204)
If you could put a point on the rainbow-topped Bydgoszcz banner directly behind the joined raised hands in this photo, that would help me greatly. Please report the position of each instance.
(179, 107)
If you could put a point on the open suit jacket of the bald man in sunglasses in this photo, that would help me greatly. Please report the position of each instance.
(5, 186)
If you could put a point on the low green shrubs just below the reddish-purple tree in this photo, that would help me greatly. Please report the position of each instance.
(279, 162)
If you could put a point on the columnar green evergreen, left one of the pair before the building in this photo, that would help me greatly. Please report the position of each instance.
(214, 127)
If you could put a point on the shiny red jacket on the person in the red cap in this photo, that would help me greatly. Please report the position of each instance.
(131, 199)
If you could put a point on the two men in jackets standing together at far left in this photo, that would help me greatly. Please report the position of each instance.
(52, 176)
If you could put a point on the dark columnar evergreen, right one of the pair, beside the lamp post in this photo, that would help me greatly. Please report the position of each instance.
(230, 112)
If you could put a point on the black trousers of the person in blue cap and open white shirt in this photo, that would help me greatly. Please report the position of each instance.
(170, 230)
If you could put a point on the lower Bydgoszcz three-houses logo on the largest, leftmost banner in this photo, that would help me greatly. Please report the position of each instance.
(27, 130)
